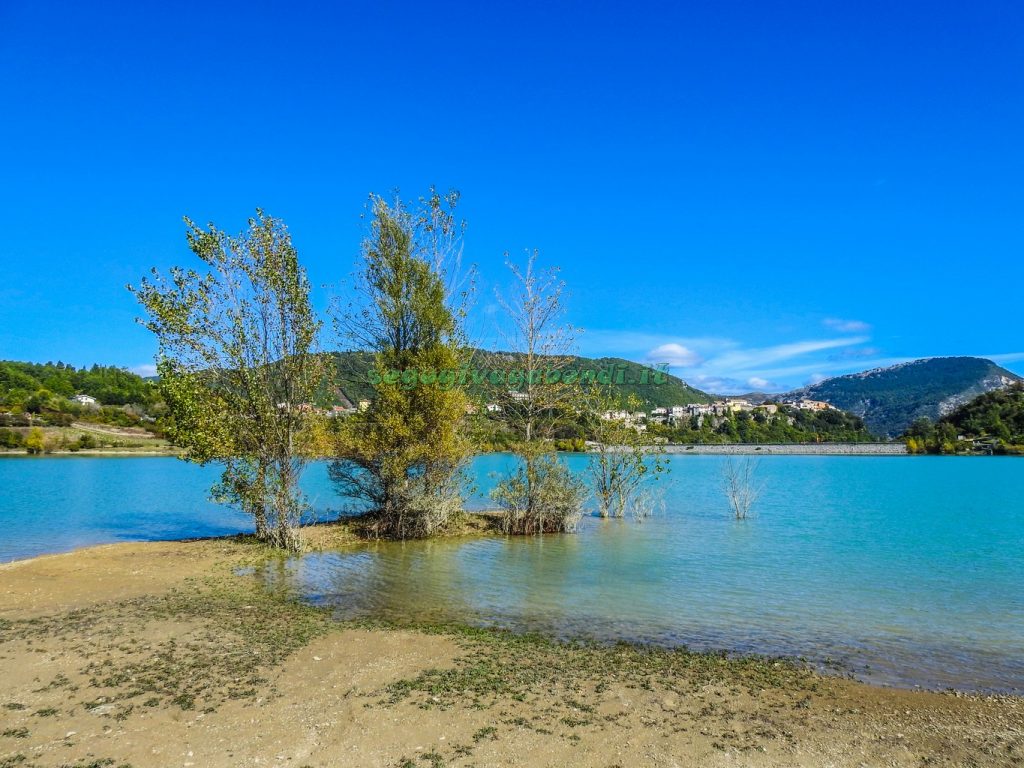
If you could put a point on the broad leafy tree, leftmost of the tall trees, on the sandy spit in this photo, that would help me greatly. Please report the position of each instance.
(238, 367)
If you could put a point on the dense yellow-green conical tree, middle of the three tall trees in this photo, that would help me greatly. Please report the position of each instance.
(403, 456)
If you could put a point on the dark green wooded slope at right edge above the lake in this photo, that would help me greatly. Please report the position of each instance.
(993, 423)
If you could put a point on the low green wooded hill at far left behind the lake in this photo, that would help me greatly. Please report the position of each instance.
(21, 382)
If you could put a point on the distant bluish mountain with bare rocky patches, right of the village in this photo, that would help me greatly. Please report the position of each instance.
(889, 400)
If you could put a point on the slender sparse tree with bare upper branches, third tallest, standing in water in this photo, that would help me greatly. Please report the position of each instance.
(539, 391)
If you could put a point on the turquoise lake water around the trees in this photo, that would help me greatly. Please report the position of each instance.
(906, 571)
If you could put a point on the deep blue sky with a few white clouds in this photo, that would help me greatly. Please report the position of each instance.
(760, 194)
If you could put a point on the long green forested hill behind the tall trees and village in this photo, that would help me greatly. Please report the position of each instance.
(350, 380)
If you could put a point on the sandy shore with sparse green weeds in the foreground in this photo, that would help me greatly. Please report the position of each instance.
(162, 655)
